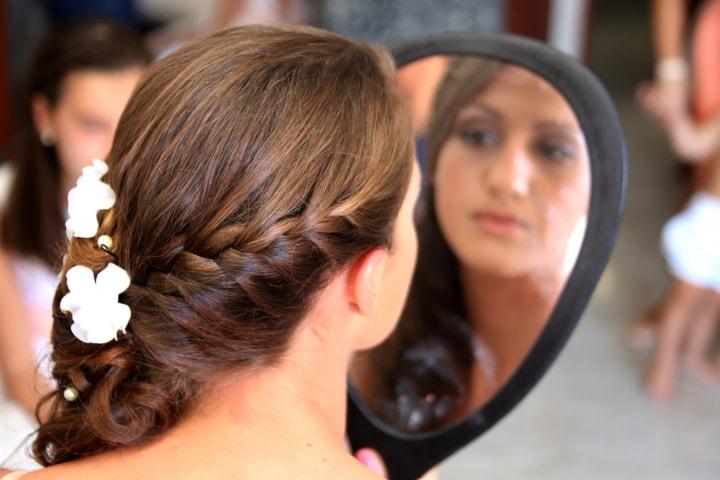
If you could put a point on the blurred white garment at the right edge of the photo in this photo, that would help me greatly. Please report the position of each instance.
(691, 242)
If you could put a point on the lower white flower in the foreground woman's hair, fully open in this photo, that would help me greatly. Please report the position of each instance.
(97, 315)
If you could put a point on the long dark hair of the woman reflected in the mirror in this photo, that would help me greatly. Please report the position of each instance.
(423, 368)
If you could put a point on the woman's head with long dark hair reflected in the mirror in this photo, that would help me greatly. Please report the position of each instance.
(509, 180)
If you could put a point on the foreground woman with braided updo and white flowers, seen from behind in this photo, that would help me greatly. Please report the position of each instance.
(262, 231)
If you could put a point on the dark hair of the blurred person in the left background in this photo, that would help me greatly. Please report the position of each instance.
(32, 222)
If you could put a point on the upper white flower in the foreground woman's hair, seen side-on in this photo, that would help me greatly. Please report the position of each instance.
(88, 197)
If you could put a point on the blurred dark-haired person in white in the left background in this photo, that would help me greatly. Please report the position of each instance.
(80, 80)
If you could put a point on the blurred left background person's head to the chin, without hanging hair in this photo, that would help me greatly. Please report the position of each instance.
(81, 78)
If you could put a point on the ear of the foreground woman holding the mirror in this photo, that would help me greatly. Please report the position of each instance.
(364, 281)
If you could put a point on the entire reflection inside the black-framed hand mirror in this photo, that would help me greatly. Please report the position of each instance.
(500, 223)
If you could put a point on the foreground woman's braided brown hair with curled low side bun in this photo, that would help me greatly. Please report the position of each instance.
(249, 168)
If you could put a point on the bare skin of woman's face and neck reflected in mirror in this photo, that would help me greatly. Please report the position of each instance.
(511, 183)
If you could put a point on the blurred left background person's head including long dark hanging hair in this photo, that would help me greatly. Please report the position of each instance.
(81, 77)
